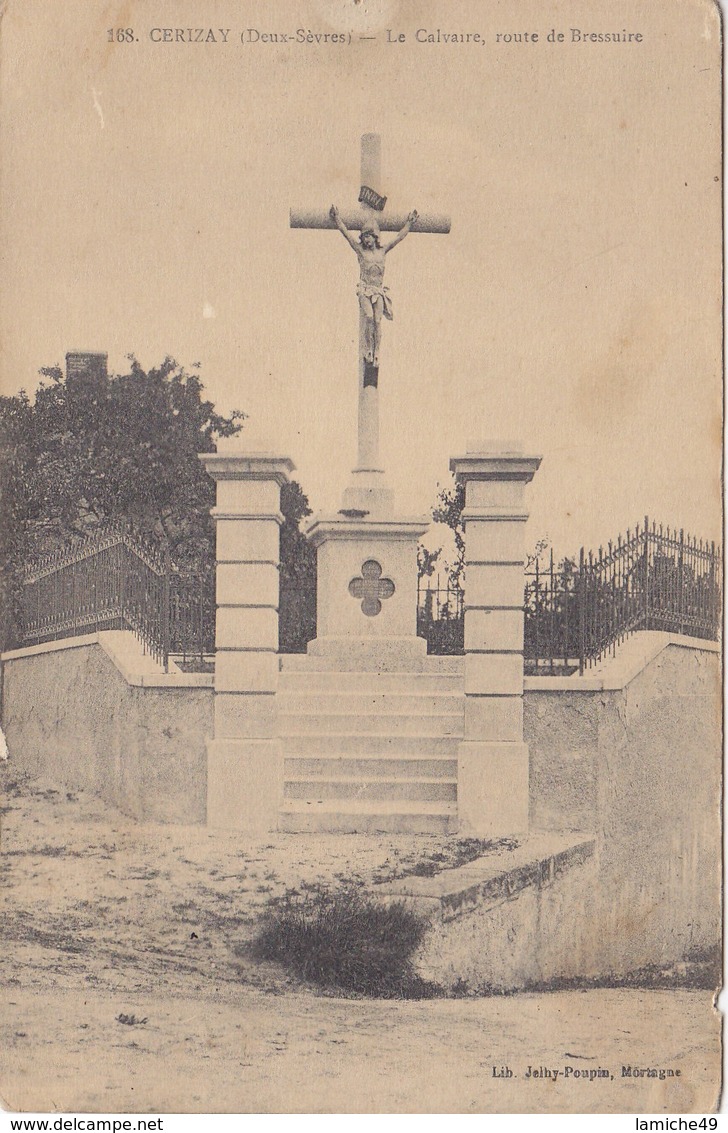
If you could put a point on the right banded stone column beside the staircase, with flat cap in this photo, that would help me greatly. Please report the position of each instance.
(493, 772)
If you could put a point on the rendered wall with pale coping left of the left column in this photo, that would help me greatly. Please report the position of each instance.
(71, 713)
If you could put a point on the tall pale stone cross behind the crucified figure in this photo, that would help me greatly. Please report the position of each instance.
(371, 209)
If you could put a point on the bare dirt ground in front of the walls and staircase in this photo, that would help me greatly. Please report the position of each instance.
(106, 919)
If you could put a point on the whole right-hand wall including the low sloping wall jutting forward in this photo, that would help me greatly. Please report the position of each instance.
(631, 757)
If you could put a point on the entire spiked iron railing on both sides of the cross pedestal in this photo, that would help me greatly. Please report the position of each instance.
(576, 611)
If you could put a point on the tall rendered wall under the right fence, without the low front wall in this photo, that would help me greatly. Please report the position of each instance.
(639, 766)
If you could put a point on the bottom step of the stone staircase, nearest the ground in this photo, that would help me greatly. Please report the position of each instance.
(349, 817)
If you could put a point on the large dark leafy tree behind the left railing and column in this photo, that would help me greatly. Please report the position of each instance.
(93, 450)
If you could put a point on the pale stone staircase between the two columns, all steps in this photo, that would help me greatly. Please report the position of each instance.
(371, 752)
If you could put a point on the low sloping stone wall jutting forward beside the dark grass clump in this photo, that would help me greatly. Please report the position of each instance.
(561, 917)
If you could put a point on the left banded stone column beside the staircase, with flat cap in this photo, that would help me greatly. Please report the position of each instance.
(244, 757)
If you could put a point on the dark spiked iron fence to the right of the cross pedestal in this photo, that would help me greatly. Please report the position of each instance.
(576, 611)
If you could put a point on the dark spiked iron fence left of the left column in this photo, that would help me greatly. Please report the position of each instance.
(118, 581)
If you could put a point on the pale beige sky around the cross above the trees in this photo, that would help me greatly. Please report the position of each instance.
(576, 304)
